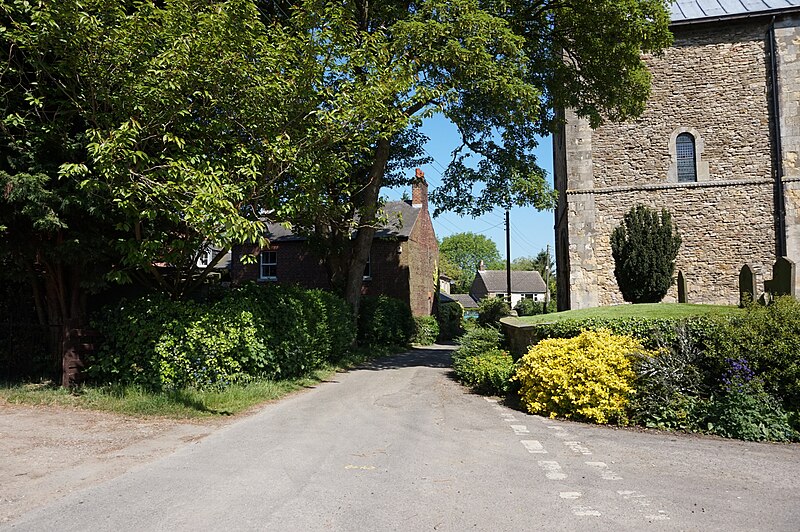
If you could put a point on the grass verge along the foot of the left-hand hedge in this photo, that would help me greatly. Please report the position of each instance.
(179, 404)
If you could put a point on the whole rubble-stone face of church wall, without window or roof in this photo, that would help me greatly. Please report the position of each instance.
(712, 82)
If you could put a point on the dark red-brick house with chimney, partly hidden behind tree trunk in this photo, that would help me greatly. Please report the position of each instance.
(403, 261)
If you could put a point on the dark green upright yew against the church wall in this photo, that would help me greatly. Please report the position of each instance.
(644, 248)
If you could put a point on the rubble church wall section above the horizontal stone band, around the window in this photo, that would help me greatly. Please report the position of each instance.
(713, 81)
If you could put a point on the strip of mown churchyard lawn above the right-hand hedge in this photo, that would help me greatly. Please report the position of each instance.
(644, 310)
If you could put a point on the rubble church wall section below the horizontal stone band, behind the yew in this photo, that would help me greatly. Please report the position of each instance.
(722, 228)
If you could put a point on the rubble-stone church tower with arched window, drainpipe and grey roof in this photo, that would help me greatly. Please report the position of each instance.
(718, 146)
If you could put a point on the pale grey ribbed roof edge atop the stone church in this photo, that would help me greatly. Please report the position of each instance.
(685, 11)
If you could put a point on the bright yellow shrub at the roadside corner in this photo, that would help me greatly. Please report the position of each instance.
(589, 377)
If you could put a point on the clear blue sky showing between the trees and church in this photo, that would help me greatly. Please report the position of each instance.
(531, 230)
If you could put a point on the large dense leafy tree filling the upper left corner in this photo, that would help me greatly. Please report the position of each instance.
(135, 136)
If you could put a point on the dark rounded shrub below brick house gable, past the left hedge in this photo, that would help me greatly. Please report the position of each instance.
(384, 321)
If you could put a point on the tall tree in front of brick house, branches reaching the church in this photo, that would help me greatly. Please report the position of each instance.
(497, 70)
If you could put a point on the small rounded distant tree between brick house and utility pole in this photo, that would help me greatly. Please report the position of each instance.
(466, 251)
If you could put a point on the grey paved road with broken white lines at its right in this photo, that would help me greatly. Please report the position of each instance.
(398, 445)
